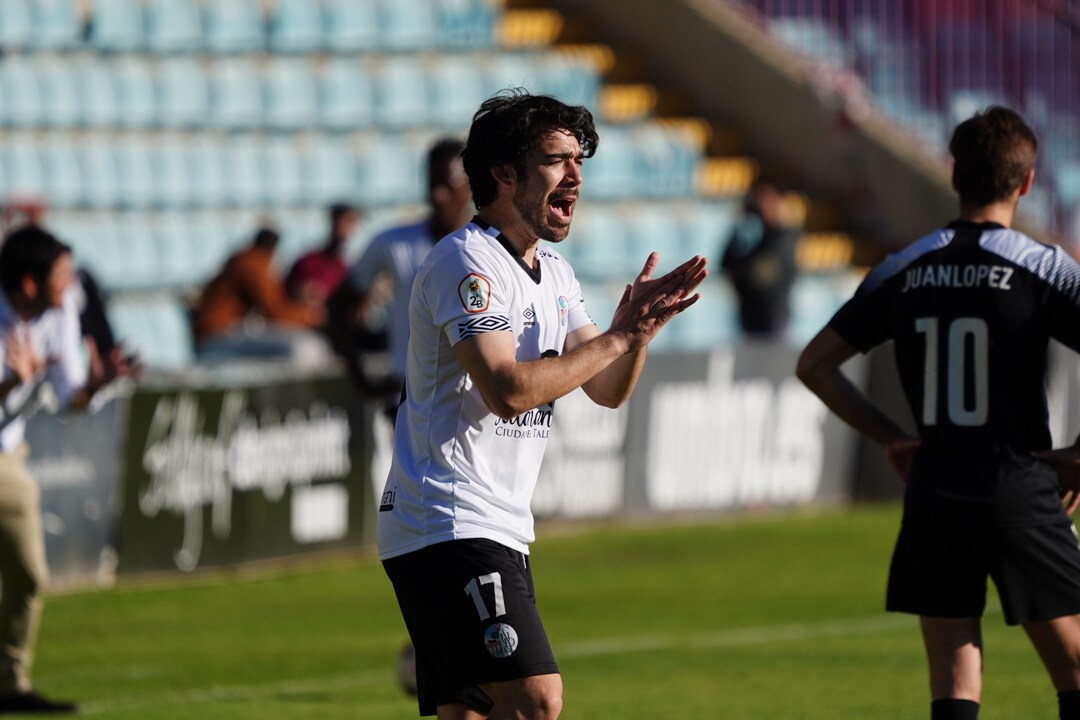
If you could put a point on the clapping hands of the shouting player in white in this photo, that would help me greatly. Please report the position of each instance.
(650, 303)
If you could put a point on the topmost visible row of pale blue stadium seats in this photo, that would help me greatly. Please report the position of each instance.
(241, 26)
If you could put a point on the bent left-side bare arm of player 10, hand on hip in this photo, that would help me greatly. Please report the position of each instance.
(819, 369)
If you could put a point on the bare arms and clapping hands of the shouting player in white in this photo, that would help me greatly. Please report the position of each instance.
(510, 387)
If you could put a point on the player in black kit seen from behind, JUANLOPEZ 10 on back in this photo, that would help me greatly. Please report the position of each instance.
(970, 309)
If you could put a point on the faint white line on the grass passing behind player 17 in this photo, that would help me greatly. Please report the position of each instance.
(736, 637)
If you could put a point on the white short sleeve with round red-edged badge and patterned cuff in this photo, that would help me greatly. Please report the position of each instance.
(467, 296)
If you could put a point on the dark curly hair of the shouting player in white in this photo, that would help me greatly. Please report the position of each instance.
(508, 126)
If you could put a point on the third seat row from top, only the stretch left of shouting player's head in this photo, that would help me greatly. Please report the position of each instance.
(212, 171)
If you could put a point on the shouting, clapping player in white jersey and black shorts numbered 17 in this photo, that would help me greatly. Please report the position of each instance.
(498, 332)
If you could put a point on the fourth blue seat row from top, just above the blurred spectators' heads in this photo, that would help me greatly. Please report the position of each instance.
(141, 251)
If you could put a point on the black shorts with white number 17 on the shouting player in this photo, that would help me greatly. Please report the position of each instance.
(471, 614)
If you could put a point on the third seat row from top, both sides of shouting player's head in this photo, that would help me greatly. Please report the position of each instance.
(218, 170)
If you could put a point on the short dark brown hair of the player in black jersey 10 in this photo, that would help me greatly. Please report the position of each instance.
(993, 152)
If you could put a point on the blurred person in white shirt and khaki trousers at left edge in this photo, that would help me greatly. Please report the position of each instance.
(43, 364)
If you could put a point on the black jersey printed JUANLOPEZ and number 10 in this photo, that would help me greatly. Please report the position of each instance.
(970, 309)
